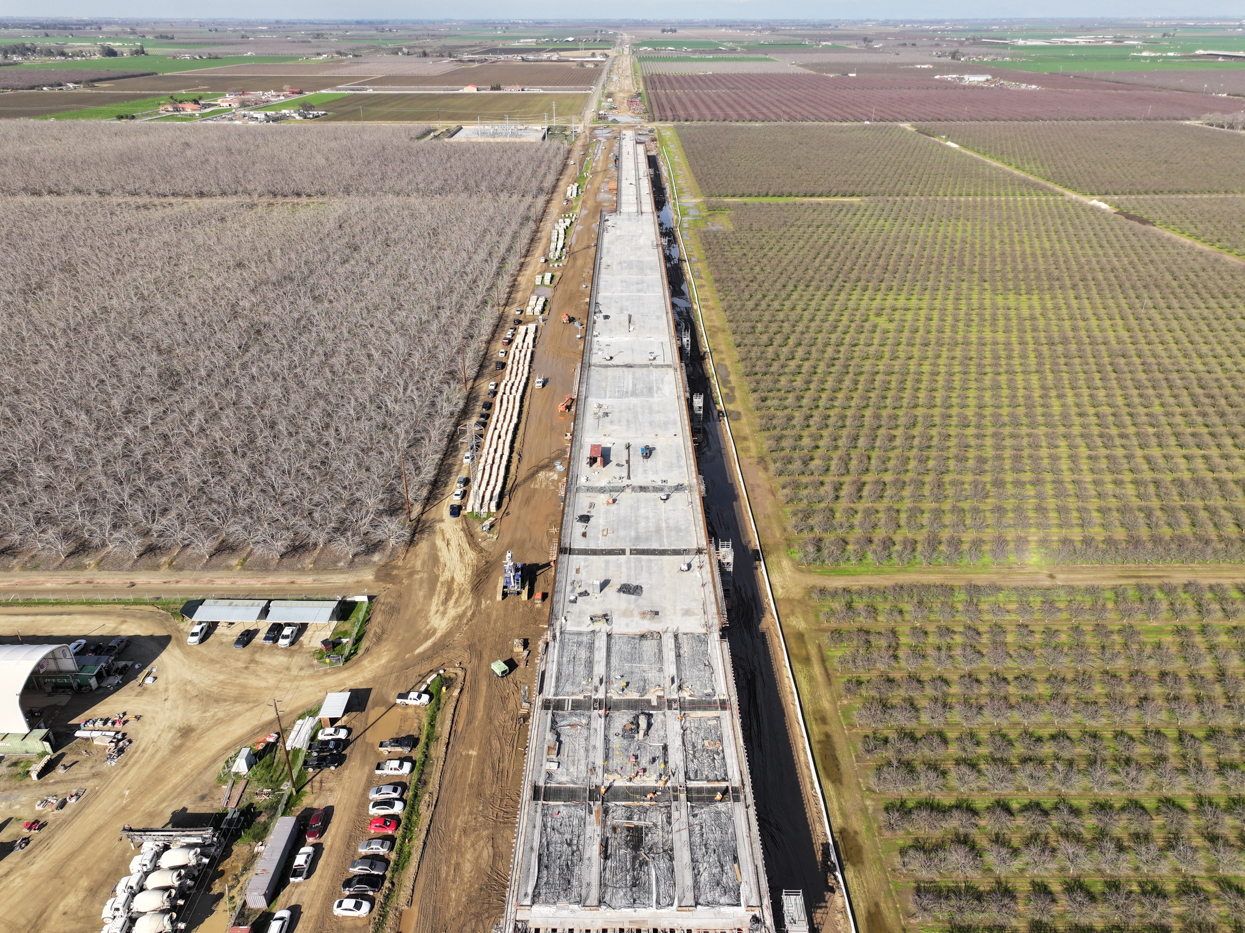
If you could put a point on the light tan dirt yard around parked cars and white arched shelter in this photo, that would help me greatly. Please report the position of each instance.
(206, 703)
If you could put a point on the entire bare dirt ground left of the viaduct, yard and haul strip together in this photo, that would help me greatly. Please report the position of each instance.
(435, 607)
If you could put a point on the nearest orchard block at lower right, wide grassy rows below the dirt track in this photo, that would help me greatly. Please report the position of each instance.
(1060, 758)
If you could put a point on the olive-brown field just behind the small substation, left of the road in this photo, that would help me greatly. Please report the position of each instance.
(454, 108)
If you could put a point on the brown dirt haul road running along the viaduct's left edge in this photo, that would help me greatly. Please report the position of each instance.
(465, 871)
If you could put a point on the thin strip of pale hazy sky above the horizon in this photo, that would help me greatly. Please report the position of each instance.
(638, 9)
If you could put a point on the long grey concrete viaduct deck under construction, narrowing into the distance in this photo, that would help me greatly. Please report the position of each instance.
(637, 807)
